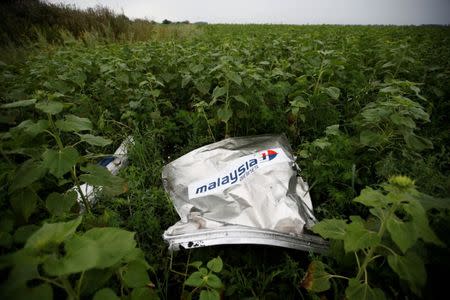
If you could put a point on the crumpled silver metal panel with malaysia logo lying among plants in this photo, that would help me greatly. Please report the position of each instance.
(244, 184)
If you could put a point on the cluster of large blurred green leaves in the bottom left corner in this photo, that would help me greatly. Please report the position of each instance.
(42, 260)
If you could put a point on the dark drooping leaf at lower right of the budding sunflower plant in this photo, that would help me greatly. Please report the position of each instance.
(410, 268)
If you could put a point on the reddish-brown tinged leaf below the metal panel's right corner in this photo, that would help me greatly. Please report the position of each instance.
(316, 279)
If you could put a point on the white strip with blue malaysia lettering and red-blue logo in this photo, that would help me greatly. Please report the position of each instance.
(237, 171)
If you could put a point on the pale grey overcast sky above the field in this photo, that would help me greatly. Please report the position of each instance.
(399, 12)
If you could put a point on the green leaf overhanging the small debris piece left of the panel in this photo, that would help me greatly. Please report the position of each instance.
(100, 176)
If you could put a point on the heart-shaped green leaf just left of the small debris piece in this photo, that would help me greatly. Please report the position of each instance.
(59, 162)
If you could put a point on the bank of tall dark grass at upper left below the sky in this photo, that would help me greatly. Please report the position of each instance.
(28, 21)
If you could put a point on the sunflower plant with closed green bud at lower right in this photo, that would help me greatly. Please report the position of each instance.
(400, 221)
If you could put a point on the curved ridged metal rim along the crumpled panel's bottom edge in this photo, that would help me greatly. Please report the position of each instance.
(233, 234)
